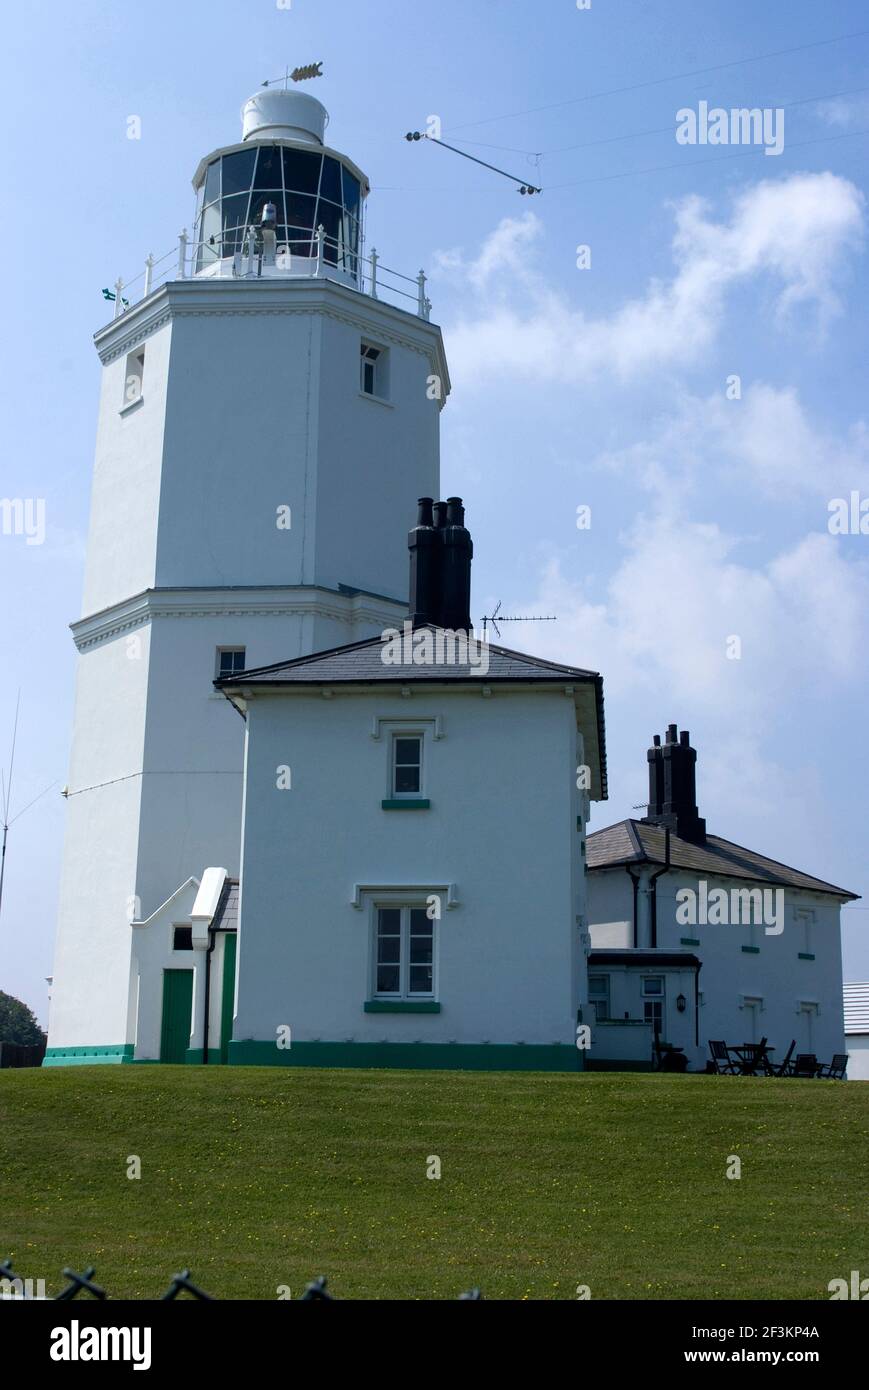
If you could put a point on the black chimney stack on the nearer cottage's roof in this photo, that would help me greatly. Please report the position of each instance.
(441, 553)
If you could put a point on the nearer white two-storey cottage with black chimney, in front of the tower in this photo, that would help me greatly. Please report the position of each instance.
(414, 889)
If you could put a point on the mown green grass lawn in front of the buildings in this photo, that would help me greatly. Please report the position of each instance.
(258, 1178)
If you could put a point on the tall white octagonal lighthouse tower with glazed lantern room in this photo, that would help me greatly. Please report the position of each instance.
(269, 416)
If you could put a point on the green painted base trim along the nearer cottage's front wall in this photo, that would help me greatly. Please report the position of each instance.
(444, 1057)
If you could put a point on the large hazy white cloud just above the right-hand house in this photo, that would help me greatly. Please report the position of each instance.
(681, 593)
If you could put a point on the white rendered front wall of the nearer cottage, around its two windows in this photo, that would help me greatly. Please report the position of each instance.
(501, 826)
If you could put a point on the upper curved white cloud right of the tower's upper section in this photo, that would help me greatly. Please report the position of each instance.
(795, 230)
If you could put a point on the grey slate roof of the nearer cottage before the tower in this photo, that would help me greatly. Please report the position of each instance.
(361, 664)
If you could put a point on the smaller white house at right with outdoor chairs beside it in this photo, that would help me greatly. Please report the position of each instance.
(699, 939)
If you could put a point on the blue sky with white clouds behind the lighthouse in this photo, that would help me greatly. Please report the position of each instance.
(671, 336)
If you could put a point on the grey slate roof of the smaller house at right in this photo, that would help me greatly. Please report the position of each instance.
(632, 842)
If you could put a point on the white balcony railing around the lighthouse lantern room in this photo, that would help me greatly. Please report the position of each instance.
(326, 261)
